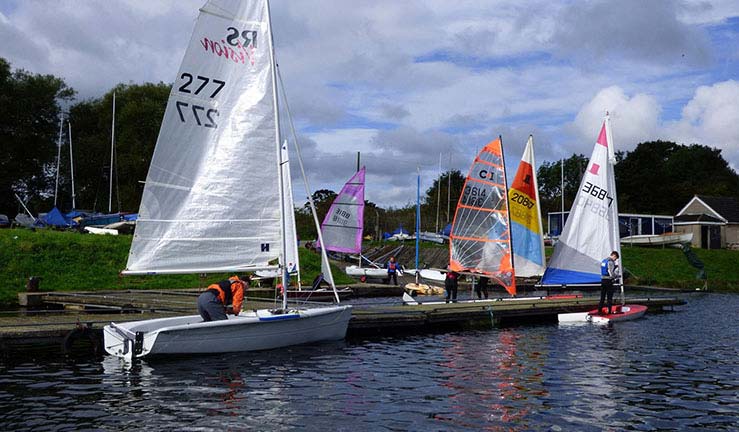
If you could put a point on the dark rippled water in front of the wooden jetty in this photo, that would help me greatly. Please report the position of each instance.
(674, 371)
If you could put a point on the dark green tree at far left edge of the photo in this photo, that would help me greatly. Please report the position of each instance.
(29, 123)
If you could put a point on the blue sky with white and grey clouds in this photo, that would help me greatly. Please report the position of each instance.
(423, 85)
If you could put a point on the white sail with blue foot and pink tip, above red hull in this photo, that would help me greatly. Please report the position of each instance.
(591, 231)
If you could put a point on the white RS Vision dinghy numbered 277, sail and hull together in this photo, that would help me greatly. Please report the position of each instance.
(213, 200)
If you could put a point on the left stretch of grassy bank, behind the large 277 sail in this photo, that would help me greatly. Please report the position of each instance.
(69, 261)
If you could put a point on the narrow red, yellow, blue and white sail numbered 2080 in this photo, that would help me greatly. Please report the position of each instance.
(525, 212)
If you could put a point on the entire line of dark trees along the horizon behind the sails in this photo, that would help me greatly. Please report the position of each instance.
(657, 177)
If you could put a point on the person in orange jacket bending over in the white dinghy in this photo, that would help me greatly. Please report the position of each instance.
(226, 296)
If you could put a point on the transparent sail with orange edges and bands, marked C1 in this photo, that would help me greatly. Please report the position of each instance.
(480, 239)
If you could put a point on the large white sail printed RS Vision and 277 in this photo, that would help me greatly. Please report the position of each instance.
(211, 202)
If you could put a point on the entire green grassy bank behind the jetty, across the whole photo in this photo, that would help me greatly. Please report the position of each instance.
(68, 261)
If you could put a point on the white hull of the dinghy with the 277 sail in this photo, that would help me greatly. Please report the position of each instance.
(249, 331)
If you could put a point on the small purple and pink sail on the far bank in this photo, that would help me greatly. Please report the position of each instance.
(342, 227)
